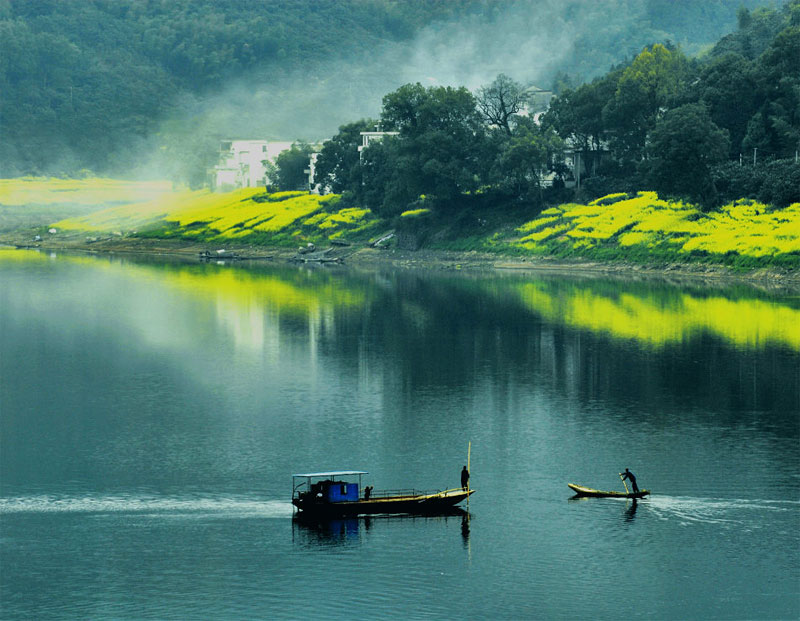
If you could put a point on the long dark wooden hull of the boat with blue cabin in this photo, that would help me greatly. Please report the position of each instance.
(418, 504)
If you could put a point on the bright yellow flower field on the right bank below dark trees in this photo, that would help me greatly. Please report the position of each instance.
(649, 224)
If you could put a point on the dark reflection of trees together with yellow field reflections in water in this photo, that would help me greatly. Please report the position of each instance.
(622, 341)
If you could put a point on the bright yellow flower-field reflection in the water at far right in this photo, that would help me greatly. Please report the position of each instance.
(655, 322)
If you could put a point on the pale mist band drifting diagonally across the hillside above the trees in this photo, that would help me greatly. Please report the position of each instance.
(529, 41)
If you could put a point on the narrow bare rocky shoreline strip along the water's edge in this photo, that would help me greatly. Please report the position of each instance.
(427, 259)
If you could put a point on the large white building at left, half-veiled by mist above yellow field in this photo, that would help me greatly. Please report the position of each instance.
(243, 163)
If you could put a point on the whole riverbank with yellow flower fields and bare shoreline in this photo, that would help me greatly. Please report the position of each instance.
(631, 234)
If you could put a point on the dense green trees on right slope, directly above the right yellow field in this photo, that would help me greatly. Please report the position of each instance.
(661, 120)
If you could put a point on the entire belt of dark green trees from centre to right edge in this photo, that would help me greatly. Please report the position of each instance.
(708, 130)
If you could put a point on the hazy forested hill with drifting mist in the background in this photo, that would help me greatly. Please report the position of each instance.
(113, 86)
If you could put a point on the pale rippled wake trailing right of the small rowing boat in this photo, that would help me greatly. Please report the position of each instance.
(715, 510)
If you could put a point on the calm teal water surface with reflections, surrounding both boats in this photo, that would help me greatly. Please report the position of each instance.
(152, 414)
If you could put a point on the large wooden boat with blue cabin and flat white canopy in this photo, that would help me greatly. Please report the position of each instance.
(338, 494)
